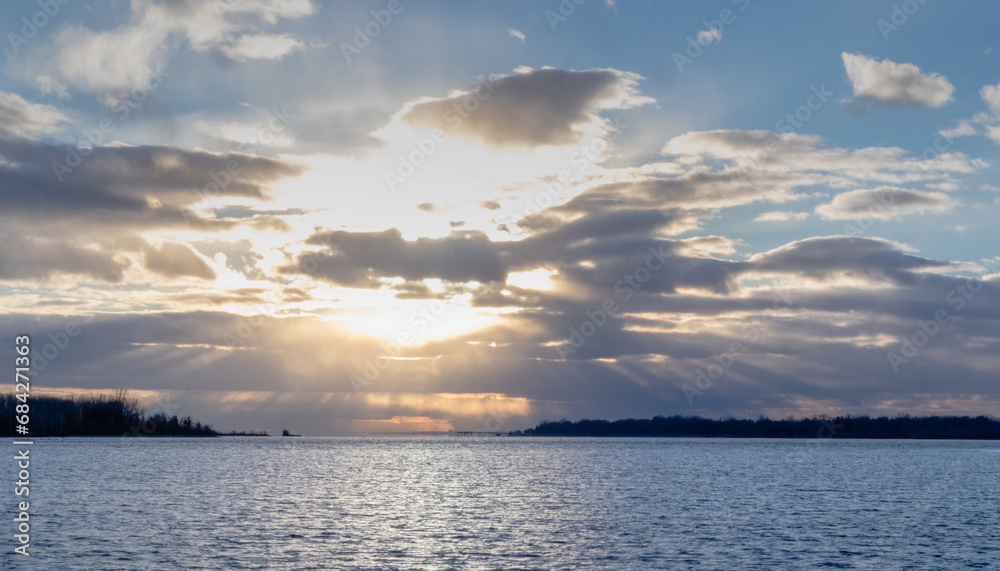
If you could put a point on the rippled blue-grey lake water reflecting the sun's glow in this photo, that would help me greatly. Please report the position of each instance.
(510, 503)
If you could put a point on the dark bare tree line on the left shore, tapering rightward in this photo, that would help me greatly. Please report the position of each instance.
(115, 414)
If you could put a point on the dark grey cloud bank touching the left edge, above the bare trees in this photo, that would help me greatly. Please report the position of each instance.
(91, 223)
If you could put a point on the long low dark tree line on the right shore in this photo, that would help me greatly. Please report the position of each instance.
(905, 426)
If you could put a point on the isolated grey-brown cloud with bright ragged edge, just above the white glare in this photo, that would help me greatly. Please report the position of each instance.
(530, 108)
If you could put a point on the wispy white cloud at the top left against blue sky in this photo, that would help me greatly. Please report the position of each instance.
(121, 58)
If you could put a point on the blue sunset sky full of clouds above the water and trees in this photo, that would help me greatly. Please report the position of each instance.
(391, 216)
